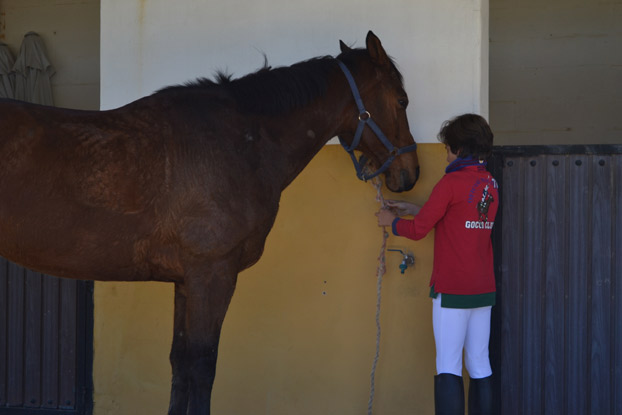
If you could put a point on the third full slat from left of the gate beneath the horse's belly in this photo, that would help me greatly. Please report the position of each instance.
(50, 352)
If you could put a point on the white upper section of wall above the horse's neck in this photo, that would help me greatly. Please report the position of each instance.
(441, 46)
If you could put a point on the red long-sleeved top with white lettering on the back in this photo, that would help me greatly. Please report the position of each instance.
(462, 209)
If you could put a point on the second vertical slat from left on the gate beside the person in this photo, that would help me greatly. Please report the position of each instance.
(532, 336)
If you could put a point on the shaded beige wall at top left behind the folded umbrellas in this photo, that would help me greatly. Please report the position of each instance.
(75, 57)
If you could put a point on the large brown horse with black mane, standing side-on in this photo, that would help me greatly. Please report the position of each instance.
(184, 185)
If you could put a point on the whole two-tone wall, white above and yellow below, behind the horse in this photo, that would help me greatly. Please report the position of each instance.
(299, 336)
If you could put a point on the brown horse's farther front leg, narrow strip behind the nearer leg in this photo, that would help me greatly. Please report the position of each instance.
(179, 388)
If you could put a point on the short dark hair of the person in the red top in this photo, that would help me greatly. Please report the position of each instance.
(467, 135)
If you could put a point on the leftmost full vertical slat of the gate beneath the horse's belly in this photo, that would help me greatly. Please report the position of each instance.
(15, 352)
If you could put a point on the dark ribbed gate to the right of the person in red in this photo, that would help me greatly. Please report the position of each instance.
(557, 329)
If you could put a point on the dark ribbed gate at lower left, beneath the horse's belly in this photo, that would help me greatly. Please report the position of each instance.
(46, 326)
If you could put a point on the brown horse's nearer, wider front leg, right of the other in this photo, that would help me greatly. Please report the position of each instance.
(207, 298)
